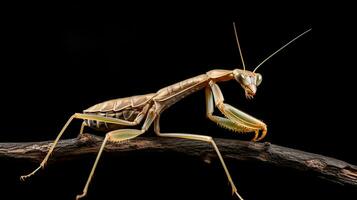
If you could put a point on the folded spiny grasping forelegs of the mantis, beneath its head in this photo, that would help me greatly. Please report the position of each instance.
(235, 120)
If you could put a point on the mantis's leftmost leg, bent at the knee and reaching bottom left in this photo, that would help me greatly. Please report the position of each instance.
(77, 116)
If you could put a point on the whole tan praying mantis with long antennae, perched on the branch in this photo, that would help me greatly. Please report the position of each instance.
(118, 116)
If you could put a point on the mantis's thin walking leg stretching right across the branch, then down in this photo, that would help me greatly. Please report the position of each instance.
(199, 138)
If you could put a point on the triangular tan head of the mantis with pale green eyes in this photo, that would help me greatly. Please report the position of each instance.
(248, 80)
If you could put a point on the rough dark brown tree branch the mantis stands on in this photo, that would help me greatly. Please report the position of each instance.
(324, 167)
